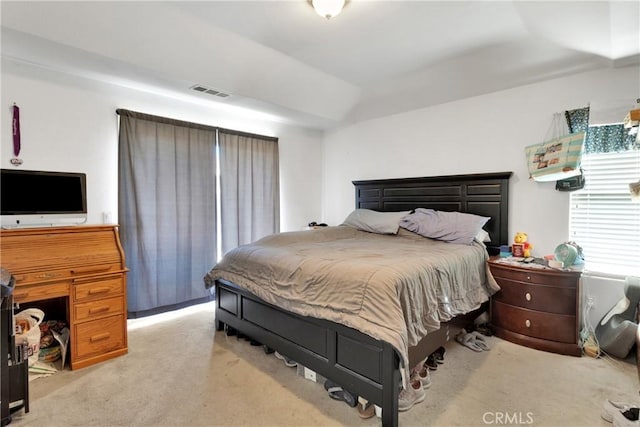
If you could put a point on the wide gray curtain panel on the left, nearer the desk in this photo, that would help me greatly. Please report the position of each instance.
(167, 213)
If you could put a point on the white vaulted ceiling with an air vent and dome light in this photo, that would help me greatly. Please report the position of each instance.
(282, 60)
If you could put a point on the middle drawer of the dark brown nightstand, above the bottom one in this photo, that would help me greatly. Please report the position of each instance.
(551, 299)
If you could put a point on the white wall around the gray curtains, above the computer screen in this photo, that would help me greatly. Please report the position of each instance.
(69, 124)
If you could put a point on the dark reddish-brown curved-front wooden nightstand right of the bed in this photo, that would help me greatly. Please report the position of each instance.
(537, 308)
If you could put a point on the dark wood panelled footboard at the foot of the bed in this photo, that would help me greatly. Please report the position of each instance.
(363, 365)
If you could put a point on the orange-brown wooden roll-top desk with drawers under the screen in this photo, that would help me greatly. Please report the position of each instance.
(84, 265)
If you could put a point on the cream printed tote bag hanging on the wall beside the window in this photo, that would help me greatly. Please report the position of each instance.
(556, 159)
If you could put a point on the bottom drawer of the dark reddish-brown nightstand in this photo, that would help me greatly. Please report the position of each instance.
(553, 327)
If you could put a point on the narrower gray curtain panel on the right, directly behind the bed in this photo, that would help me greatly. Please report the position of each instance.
(249, 188)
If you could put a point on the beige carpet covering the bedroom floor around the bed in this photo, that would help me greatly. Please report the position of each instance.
(182, 373)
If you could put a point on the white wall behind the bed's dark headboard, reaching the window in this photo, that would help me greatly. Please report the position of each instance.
(482, 134)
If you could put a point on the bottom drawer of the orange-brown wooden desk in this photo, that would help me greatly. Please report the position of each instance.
(100, 336)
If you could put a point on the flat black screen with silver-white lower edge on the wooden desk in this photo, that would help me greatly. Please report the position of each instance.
(39, 198)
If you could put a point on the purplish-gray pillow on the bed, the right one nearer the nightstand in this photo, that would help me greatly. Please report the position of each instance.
(452, 227)
